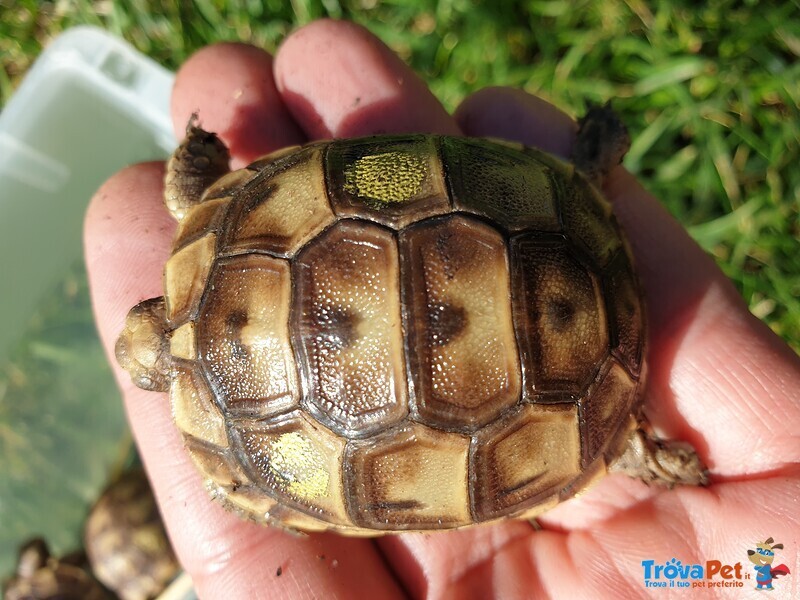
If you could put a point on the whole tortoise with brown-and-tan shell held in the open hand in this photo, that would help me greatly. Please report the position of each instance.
(398, 333)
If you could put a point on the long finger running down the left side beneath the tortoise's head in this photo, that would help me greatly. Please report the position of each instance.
(127, 241)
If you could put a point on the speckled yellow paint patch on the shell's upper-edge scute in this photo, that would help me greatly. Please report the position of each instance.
(389, 177)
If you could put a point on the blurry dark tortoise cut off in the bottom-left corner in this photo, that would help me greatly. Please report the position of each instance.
(40, 576)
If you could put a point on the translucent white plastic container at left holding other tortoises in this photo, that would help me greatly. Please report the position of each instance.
(89, 106)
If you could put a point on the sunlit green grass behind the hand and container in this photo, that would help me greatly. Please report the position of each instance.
(711, 94)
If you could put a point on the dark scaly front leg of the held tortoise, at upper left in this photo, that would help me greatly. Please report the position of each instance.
(198, 162)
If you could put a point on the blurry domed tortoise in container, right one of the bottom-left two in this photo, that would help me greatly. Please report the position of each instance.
(125, 540)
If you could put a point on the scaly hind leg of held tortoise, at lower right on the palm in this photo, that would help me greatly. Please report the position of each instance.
(654, 460)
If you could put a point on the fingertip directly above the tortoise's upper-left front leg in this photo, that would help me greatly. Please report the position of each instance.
(231, 88)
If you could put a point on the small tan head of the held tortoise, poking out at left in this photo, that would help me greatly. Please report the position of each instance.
(143, 346)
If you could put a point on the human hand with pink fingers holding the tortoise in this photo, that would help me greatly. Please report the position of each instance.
(718, 379)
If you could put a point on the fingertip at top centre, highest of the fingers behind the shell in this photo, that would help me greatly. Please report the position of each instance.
(338, 80)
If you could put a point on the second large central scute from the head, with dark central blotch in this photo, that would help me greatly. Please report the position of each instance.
(348, 330)
